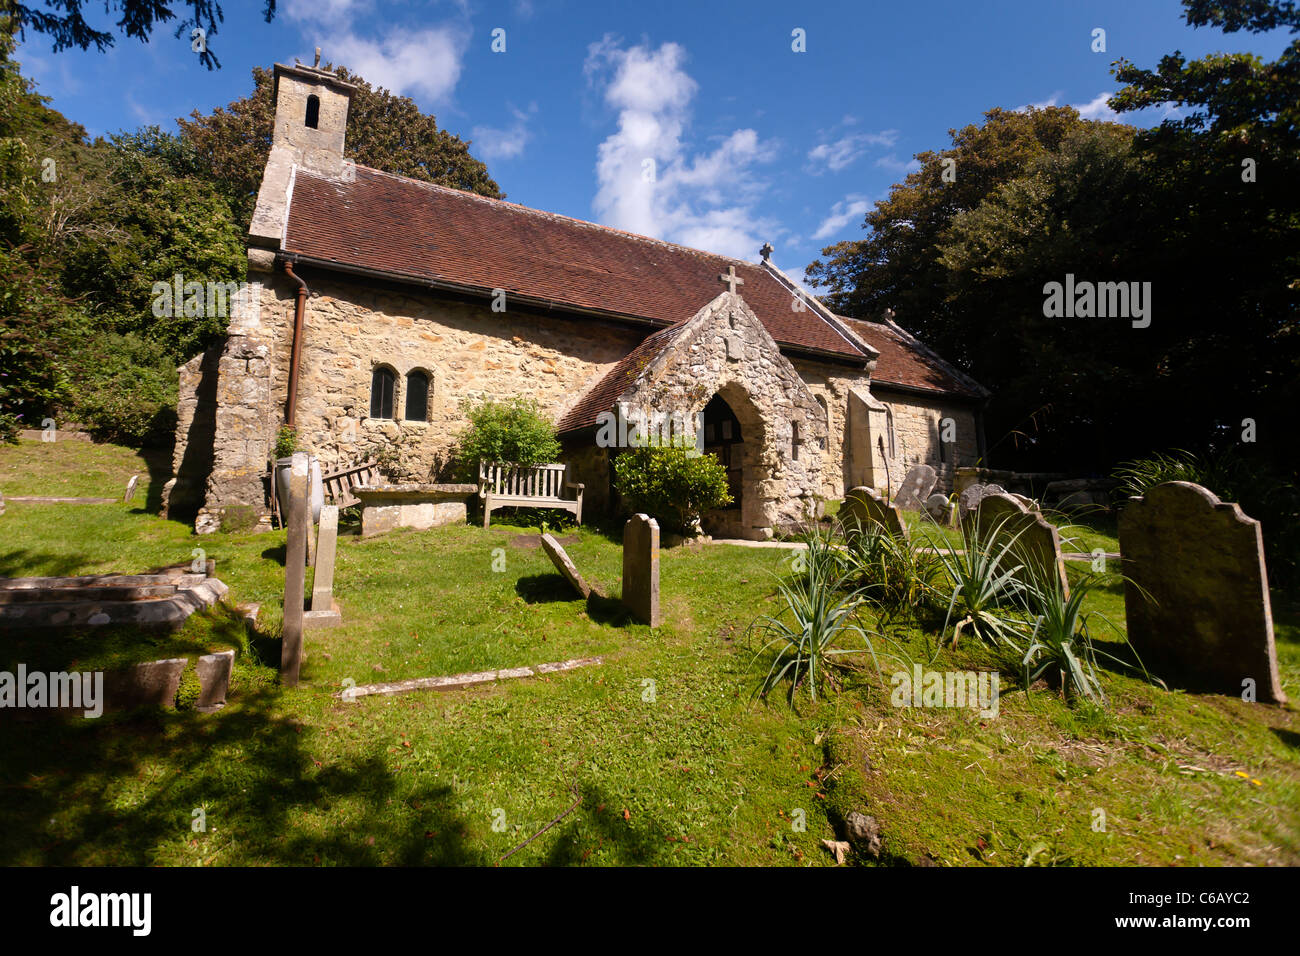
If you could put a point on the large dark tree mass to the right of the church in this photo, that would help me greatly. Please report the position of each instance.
(1206, 207)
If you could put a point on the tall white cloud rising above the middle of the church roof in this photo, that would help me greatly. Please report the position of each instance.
(649, 181)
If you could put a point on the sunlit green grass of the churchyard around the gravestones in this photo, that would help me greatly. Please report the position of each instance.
(664, 749)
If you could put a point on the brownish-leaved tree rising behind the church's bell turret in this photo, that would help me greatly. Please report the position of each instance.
(384, 132)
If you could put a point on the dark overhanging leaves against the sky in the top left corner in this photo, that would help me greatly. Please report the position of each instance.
(67, 25)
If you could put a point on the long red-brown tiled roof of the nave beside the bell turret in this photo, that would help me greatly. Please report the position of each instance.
(422, 232)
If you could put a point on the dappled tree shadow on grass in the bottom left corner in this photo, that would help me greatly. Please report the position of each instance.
(123, 790)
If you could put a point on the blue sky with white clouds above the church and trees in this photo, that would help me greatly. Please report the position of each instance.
(751, 141)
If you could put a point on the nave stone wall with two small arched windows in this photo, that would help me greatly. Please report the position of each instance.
(467, 351)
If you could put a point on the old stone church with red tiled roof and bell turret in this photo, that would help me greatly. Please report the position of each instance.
(378, 305)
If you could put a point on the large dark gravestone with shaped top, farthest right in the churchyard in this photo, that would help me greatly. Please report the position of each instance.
(1197, 591)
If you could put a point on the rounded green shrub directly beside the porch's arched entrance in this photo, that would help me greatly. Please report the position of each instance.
(670, 485)
